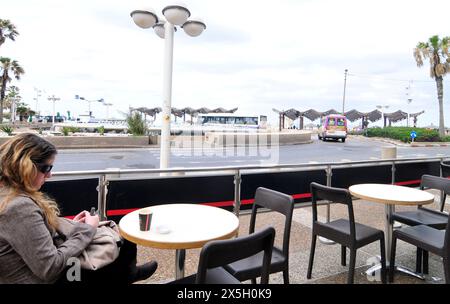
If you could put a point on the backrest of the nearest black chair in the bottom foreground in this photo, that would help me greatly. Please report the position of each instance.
(220, 253)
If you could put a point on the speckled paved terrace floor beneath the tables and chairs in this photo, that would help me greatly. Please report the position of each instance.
(327, 268)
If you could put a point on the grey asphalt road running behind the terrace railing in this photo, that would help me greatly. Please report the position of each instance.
(317, 151)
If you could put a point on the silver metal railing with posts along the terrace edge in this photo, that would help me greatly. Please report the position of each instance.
(104, 176)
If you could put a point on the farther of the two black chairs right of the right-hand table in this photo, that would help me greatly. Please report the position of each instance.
(426, 216)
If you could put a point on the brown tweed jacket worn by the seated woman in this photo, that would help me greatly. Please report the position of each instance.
(27, 251)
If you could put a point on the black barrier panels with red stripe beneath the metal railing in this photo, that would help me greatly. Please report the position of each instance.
(126, 195)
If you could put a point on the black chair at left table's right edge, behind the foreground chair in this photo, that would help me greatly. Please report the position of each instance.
(248, 268)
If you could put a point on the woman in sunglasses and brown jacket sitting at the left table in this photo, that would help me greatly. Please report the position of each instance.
(29, 224)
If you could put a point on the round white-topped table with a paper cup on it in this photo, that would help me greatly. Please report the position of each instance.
(180, 227)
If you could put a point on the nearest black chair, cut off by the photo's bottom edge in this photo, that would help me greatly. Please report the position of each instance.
(216, 254)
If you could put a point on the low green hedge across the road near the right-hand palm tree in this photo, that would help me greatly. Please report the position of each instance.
(403, 133)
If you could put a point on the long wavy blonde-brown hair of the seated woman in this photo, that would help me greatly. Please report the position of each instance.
(19, 157)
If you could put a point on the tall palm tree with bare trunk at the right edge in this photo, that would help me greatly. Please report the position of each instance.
(436, 50)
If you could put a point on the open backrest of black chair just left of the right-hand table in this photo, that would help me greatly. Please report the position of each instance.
(335, 195)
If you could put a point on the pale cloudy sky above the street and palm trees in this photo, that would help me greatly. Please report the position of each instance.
(255, 55)
